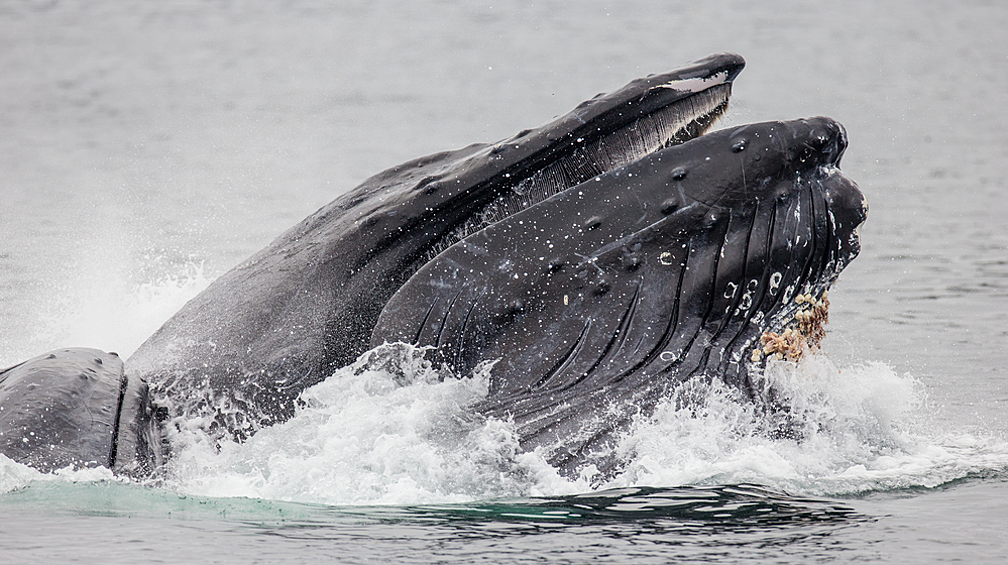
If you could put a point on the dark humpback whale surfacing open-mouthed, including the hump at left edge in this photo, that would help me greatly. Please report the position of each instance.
(599, 261)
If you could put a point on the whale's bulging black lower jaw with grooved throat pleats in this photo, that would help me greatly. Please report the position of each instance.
(599, 302)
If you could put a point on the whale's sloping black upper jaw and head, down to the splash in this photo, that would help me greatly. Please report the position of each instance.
(307, 305)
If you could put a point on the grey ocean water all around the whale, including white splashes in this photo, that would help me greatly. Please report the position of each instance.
(148, 148)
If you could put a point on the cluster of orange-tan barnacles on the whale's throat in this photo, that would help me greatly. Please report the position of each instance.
(806, 334)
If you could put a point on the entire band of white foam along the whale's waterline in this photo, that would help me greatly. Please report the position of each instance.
(391, 430)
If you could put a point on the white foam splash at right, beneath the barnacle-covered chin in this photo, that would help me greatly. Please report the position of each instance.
(856, 430)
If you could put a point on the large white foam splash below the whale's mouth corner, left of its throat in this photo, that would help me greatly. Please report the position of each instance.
(390, 430)
